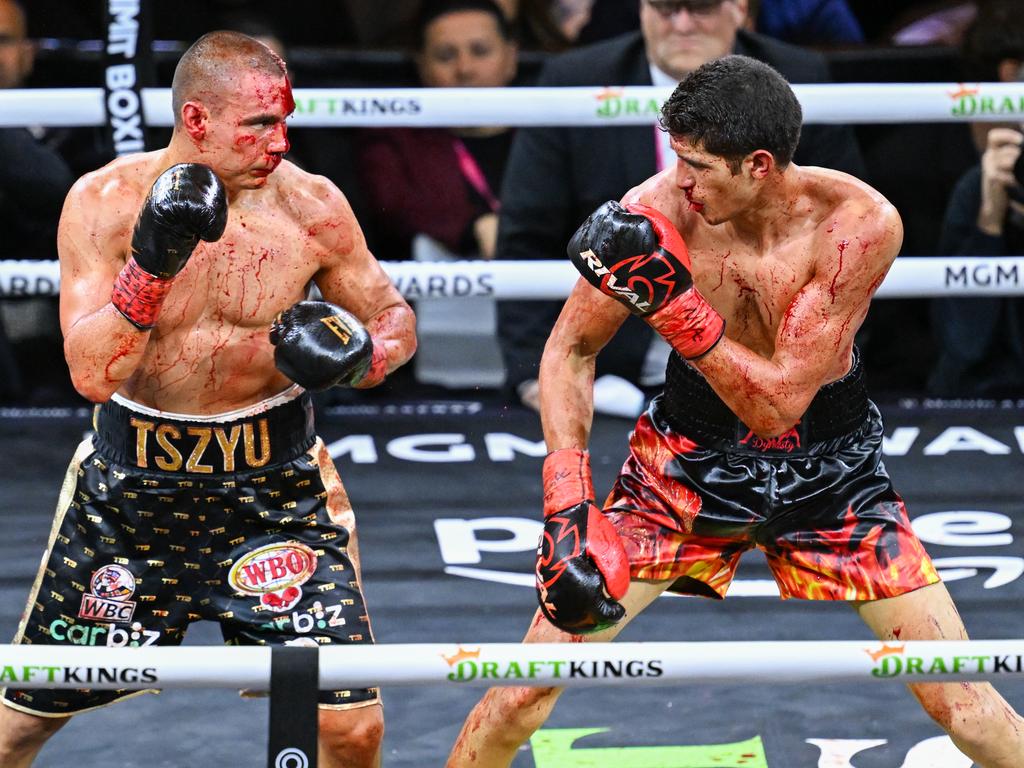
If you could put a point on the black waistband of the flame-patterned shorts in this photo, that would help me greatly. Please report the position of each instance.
(692, 408)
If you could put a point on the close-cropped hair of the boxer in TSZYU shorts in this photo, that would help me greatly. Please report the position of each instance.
(217, 59)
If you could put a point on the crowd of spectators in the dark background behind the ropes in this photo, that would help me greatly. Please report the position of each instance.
(500, 193)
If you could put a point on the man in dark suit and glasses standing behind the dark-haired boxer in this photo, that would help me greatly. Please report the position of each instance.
(558, 176)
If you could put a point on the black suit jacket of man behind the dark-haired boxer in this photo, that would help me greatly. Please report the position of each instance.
(557, 177)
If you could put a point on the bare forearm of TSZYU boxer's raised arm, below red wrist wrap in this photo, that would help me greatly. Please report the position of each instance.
(103, 351)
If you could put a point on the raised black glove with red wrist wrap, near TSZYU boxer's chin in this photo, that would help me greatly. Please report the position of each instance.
(187, 204)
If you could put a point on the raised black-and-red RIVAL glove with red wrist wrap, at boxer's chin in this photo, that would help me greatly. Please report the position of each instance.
(635, 255)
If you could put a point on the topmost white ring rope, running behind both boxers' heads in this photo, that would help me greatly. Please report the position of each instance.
(593, 106)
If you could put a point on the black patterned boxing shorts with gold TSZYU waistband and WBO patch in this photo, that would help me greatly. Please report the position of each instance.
(166, 520)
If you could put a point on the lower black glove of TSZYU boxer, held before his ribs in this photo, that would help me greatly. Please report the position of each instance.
(321, 346)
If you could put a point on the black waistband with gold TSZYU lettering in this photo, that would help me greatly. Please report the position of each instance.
(155, 444)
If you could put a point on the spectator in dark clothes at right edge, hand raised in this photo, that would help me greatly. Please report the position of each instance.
(982, 340)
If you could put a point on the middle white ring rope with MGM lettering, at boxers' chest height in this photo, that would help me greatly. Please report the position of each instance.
(913, 277)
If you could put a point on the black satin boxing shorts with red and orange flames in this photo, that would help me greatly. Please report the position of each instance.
(699, 489)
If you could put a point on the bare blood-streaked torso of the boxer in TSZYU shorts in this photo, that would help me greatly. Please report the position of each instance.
(210, 352)
